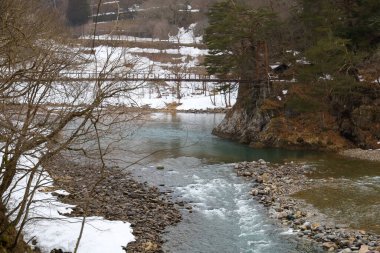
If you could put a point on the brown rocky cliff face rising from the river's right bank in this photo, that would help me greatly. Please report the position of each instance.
(274, 121)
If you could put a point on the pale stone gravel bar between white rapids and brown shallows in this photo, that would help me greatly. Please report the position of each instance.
(273, 185)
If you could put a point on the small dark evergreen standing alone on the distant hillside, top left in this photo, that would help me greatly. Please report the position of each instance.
(78, 12)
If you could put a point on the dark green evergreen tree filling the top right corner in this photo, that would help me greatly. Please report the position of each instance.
(340, 34)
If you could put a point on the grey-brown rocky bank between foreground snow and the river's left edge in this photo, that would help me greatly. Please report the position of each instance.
(115, 195)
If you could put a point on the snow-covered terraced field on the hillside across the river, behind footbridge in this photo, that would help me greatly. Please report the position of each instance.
(154, 95)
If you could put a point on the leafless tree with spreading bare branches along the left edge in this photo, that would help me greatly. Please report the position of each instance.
(41, 113)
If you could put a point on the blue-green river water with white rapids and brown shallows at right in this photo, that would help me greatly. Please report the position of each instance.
(198, 170)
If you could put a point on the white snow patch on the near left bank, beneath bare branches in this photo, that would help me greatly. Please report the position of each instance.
(52, 229)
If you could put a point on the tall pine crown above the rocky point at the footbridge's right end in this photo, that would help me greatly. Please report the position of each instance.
(232, 36)
